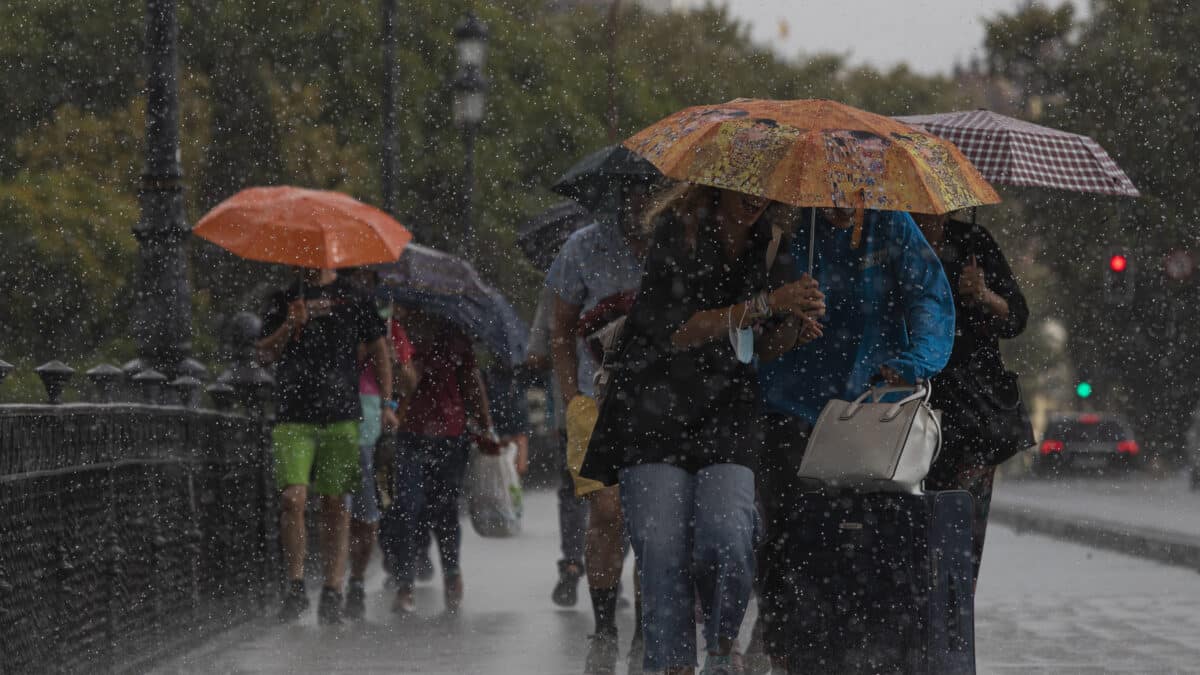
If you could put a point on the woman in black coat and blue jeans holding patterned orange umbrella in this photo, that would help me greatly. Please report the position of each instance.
(679, 431)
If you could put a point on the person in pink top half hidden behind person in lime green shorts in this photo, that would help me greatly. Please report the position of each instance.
(364, 504)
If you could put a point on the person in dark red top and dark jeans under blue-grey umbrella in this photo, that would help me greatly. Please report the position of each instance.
(431, 456)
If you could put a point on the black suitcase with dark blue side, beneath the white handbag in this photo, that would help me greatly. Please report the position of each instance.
(878, 583)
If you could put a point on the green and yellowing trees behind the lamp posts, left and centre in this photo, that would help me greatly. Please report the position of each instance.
(287, 92)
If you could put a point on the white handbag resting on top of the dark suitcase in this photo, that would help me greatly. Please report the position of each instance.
(878, 446)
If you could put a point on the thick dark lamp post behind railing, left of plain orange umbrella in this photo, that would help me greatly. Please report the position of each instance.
(163, 312)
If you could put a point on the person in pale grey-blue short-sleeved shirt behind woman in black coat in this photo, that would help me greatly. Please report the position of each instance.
(598, 261)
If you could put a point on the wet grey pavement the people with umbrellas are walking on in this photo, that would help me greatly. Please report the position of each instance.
(1043, 607)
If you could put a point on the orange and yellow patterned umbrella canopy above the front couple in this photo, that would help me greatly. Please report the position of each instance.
(813, 153)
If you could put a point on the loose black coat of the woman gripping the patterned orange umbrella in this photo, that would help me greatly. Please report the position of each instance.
(692, 408)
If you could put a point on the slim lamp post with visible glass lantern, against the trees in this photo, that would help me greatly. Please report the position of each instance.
(470, 106)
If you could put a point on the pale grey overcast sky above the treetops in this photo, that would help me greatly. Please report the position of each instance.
(931, 35)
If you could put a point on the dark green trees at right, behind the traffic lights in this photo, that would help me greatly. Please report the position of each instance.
(1126, 76)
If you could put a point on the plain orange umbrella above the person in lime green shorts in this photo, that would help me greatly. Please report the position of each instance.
(311, 229)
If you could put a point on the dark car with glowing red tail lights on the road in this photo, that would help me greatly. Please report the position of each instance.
(1087, 441)
